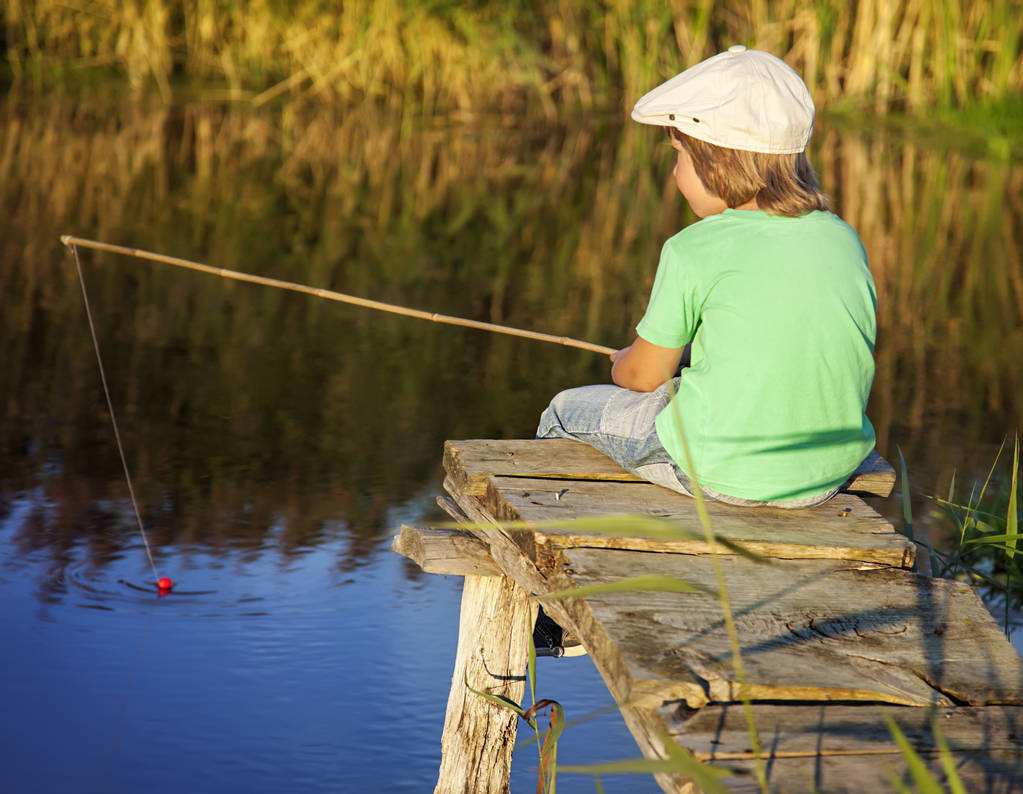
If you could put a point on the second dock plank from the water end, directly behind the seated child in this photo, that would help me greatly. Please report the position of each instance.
(846, 528)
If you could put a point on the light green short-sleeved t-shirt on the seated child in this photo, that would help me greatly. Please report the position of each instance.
(781, 313)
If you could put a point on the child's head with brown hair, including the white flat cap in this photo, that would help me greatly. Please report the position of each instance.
(740, 122)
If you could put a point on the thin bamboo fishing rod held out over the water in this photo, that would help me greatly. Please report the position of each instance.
(331, 295)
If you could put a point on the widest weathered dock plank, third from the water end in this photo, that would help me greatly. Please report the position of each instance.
(810, 630)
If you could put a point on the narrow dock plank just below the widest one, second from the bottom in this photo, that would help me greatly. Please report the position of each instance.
(721, 733)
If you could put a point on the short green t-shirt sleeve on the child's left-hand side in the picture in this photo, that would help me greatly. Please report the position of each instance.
(674, 311)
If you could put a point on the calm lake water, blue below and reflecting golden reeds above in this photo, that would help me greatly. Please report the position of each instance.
(278, 443)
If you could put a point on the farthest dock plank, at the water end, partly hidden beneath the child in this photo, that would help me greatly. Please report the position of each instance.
(472, 463)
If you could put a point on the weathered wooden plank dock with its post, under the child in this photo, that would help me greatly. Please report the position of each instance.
(836, 630)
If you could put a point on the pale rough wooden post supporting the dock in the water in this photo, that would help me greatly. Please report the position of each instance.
(496, 625)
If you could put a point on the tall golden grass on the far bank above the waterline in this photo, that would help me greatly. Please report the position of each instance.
(886, 55)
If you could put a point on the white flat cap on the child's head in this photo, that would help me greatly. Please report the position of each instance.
(744, 100)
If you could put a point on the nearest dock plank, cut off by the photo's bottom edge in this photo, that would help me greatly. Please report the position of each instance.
(996, 773)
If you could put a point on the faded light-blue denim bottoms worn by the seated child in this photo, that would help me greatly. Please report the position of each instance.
(620, 424)
